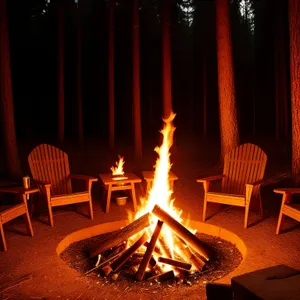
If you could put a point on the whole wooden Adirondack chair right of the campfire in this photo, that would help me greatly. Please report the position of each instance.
(242, 176)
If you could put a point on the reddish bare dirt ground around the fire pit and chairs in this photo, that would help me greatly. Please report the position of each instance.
(52, 278)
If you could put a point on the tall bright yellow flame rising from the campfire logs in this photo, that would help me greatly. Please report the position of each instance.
(162, 195)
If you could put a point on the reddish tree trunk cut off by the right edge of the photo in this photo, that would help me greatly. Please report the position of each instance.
(294, 24)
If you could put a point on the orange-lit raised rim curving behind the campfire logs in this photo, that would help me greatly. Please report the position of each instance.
(205, 228)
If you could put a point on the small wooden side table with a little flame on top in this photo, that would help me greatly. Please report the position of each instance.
(127, 183)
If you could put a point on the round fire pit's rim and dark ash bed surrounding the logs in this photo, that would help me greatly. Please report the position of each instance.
(227, 252)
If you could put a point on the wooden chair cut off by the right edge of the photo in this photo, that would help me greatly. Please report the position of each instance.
(287, 208)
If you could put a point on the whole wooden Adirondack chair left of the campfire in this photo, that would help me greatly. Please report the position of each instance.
(50, 170)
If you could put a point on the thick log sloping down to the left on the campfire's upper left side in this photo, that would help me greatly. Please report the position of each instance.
(118, 236)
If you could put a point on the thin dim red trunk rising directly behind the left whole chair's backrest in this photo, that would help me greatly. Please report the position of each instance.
(61, 89)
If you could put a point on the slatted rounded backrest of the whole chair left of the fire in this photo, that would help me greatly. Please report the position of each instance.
(50, 164)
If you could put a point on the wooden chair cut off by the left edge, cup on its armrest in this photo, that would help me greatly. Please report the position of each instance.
(14, 211)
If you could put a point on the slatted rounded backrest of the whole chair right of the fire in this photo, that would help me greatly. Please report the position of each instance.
(244, 164)
